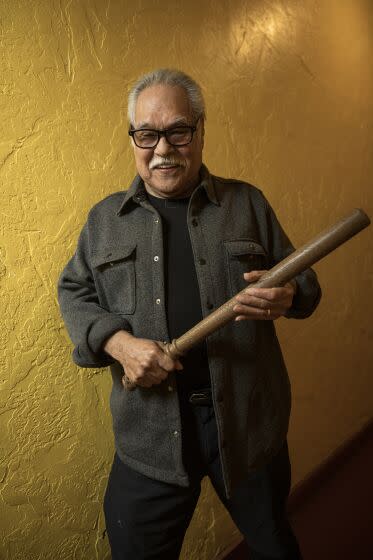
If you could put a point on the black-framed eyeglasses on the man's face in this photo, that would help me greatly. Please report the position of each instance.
(176, 136)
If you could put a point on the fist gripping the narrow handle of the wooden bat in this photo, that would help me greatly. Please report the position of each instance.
(144, 361)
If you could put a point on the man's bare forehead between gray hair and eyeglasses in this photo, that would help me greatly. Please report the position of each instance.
(161, 105)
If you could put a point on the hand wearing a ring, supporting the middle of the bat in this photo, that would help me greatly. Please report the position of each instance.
(263, 303)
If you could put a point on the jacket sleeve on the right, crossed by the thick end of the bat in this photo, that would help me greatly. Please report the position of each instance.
(308, 292)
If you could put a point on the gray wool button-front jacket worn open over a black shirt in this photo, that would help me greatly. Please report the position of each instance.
(113, 282)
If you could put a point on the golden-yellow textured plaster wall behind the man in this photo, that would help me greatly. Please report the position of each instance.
(289, 89)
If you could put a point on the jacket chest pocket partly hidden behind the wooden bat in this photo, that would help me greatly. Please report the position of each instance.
(243, 255)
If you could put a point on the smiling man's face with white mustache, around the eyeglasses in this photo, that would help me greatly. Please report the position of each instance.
(167, 171)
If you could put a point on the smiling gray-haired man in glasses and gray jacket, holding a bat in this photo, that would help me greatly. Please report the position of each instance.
(150, 263)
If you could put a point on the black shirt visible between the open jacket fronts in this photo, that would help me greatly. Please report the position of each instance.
(183, 303)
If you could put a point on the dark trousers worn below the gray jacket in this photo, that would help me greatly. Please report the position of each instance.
(147, 519)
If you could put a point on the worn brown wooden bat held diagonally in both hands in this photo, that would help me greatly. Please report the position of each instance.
(297, 262)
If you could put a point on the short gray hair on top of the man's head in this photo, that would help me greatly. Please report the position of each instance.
(169, 77)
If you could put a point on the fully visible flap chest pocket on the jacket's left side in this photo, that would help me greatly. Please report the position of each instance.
(115, 275)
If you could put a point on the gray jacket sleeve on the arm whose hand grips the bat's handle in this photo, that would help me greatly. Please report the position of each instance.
(87, 323)
